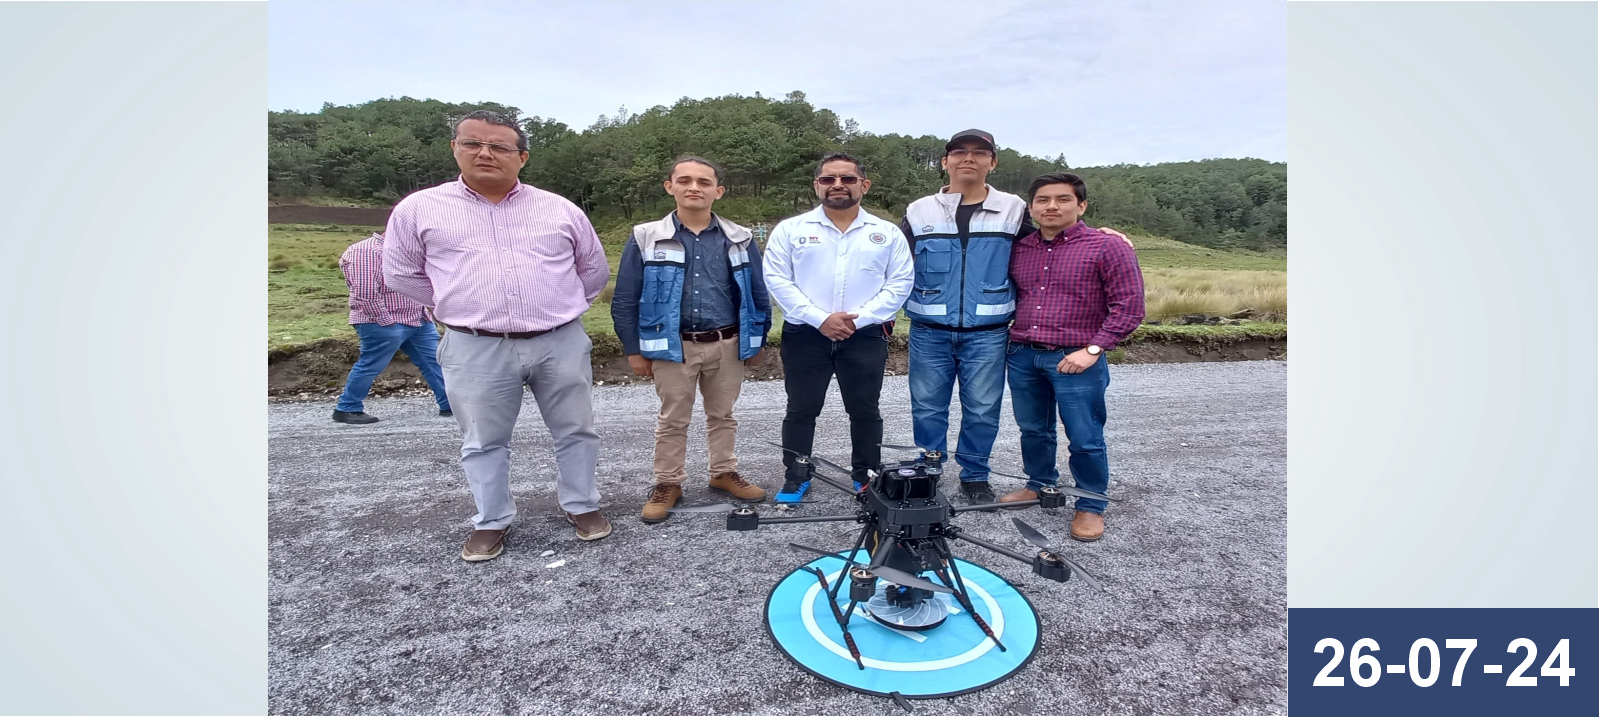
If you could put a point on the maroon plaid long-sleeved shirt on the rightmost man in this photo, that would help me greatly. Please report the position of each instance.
(1080, 289)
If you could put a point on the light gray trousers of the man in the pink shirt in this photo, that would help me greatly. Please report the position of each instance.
(485, 377)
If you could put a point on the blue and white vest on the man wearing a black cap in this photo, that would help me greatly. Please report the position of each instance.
(963, 286)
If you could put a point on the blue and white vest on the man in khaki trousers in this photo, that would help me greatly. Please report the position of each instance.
(661, 302)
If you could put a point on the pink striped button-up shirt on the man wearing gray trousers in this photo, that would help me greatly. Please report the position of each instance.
(530, 263)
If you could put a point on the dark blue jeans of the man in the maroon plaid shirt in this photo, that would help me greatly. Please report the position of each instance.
(1039, 391)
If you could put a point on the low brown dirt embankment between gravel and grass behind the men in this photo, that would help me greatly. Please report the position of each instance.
(319, 369)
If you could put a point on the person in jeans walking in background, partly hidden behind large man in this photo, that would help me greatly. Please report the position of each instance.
(386, 322)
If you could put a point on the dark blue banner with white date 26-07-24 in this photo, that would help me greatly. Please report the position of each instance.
(1457, 662)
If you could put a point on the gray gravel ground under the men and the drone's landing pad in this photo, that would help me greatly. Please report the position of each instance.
(372, 611)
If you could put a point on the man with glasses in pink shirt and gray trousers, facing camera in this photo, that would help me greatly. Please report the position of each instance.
(509, 270)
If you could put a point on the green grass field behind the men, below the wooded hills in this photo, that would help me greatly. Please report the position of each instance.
(308, 298)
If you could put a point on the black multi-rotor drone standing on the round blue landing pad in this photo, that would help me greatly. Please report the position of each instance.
(907, 527)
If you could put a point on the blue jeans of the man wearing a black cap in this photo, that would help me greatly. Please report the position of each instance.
(938, 358)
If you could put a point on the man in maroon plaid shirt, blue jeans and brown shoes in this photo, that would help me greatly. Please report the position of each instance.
(1079, 294)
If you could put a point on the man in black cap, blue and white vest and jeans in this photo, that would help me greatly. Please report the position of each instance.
(962, 305)
